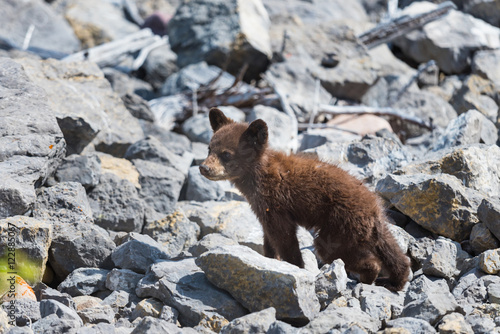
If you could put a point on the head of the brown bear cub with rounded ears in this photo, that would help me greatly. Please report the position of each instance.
(235, 148)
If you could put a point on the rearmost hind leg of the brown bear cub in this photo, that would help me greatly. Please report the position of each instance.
(393, 259)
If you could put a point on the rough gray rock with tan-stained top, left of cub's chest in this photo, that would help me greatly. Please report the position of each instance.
(175, 232)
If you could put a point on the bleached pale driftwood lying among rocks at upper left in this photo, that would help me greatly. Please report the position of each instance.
(110, 54)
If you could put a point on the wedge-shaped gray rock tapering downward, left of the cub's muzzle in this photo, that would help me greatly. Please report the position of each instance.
(160, 185)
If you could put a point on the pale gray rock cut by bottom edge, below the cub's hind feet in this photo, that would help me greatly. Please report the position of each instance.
(341, 319)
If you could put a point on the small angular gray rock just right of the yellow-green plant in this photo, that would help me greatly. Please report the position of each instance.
(84, 281)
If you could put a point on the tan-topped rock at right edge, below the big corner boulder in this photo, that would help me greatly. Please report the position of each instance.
(476, 93)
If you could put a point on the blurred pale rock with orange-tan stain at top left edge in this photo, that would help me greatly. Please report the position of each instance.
(96, 22)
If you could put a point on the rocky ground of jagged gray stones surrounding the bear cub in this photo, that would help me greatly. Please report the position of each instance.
(104, 213)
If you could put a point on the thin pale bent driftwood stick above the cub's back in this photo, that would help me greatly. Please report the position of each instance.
(360, 110)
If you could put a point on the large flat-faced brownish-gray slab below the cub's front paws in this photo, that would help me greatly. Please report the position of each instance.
(239, 270)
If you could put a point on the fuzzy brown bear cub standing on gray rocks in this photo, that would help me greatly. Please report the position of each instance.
(285, 191)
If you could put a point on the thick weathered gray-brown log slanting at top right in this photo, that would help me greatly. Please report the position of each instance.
(388, 31)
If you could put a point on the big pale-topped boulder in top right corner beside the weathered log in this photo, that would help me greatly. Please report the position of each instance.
(450, 41)
